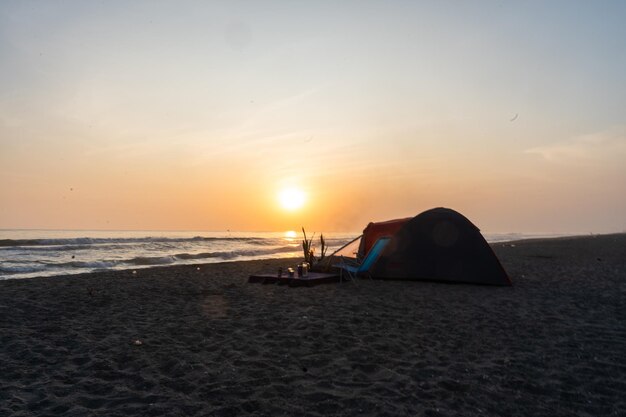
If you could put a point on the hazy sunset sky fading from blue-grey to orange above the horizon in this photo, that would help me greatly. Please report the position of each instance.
(196, 115)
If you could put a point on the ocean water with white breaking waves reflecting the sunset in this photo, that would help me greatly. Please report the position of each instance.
(36, 253)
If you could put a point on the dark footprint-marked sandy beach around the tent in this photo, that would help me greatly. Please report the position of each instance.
(183, 341)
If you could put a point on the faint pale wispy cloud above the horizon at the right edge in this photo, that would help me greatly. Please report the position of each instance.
(593, 147)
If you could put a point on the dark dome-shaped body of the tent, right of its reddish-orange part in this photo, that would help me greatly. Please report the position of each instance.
(439, 245)
